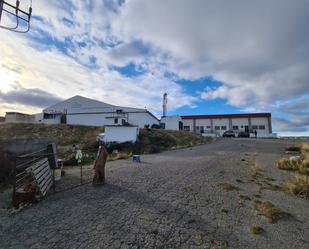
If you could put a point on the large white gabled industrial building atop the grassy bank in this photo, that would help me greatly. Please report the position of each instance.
(79, 110)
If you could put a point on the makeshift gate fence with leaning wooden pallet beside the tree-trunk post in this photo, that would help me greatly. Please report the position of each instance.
(41, 173)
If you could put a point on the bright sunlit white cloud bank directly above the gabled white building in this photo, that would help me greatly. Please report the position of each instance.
(50, 71)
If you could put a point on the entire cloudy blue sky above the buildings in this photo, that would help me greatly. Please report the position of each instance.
(209, 56)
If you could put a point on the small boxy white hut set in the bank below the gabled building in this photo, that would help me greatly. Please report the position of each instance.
(120, 134)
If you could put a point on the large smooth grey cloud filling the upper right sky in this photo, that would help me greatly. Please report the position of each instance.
(260, 58)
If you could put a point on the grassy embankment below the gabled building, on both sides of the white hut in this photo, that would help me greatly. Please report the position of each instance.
(150, 140)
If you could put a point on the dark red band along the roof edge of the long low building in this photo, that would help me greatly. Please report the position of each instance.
(220, 116)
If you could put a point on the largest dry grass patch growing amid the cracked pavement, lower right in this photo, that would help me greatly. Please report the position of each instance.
(269, 210)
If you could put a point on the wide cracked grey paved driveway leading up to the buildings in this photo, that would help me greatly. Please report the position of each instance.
(170, 200)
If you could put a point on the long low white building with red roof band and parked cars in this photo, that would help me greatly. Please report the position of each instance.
(218, 124)
